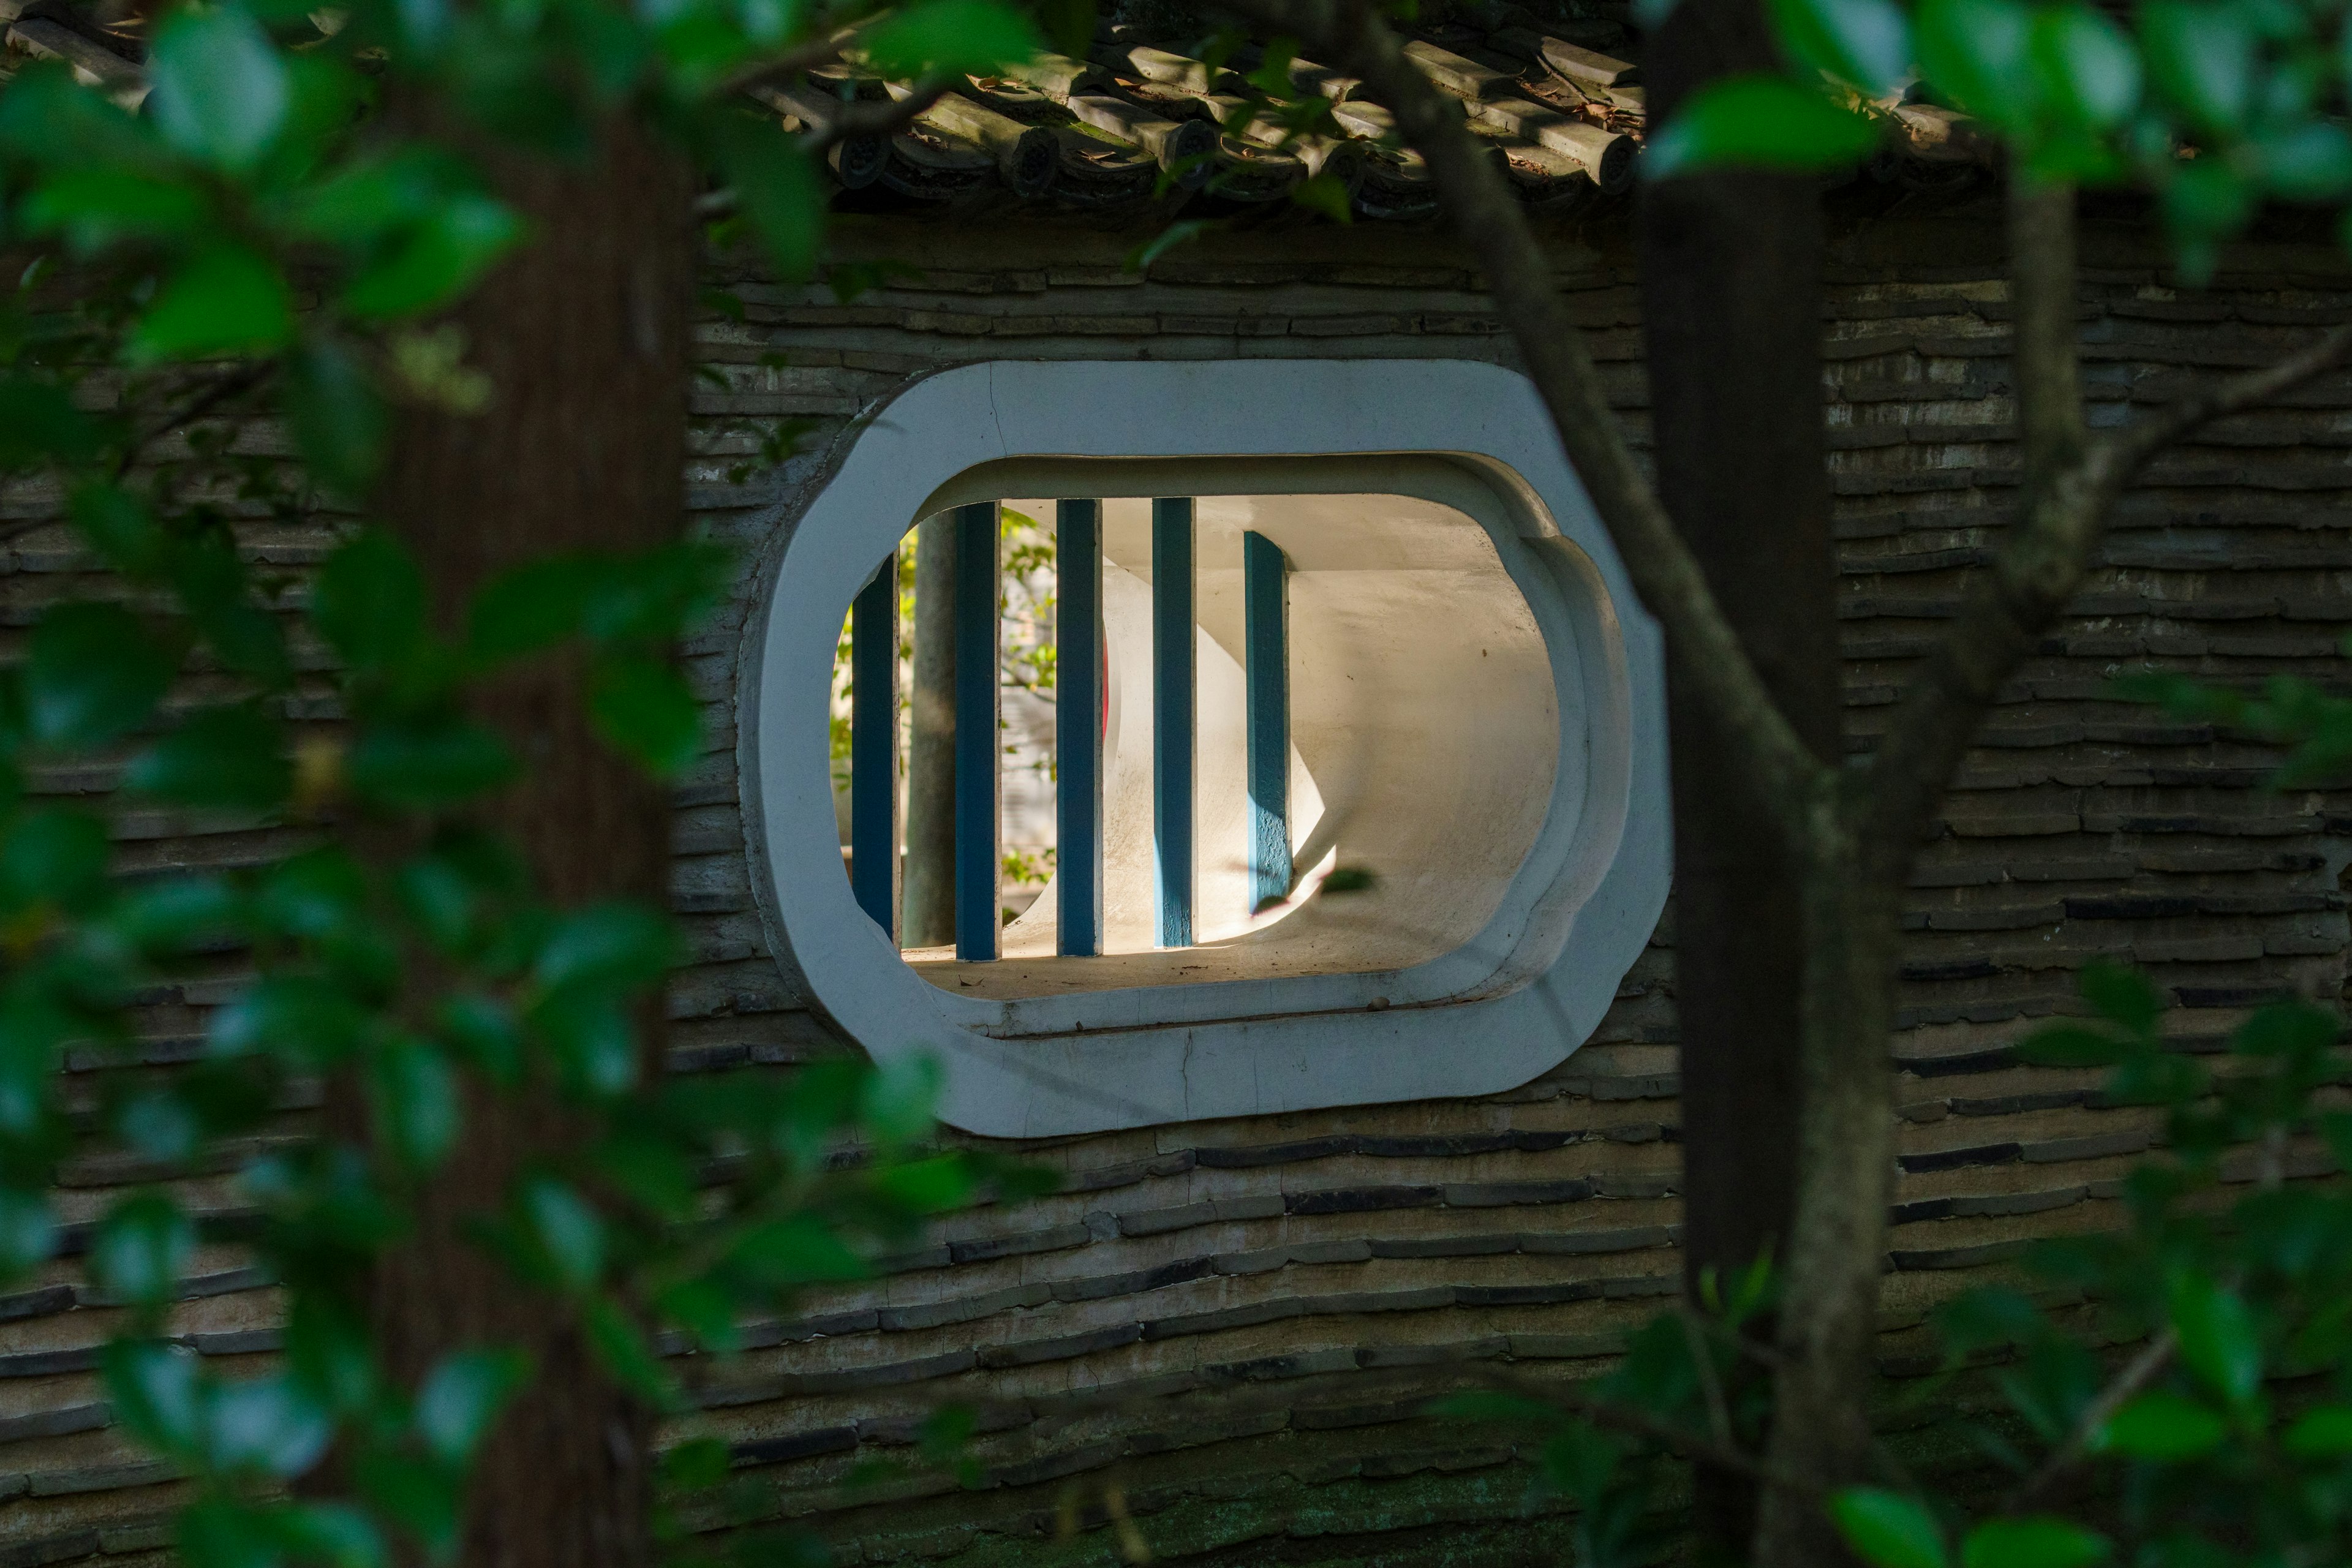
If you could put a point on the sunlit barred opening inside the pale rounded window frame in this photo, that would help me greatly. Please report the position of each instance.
(1118, 718)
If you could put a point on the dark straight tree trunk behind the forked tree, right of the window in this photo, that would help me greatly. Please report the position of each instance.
(1732, 326)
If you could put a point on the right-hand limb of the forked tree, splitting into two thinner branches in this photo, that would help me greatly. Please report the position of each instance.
(2071, 485)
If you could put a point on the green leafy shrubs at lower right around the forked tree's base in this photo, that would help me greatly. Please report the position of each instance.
(2174, 1393)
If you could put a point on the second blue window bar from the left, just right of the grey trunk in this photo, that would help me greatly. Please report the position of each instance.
(977, 732)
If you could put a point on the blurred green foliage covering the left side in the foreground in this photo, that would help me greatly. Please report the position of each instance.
(255, 246)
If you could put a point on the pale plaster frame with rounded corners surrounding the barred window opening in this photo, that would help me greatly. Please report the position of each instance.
(1483, 1019)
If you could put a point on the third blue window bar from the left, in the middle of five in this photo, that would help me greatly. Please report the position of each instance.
(1078, 725)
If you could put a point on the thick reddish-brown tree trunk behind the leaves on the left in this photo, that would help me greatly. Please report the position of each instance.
(582, 448)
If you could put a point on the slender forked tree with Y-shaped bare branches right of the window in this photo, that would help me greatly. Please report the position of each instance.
(1852, 831)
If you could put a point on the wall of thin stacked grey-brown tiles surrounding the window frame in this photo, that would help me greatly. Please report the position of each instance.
(1224, 1332)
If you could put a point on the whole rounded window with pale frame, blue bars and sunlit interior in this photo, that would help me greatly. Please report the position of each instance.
(1377, 798)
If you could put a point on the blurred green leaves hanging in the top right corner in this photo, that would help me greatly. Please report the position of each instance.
(2217, 107)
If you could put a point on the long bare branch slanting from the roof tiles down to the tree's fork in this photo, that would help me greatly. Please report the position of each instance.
(1709, 655)
